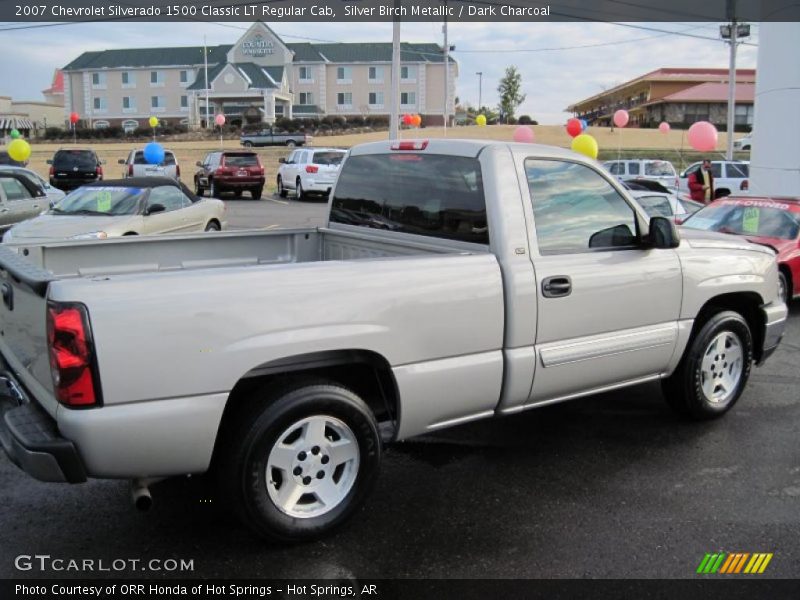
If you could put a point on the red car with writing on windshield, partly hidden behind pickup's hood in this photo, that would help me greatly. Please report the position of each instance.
(773, 222)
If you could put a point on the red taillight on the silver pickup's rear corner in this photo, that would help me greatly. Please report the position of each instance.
(71, 355)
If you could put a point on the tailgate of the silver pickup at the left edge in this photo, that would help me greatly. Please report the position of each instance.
(23, 325)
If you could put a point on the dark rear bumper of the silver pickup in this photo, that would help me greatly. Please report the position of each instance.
(30, 437)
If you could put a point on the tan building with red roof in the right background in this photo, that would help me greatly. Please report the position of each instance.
(678, 96)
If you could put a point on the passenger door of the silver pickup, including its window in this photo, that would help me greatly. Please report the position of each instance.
(607, 306)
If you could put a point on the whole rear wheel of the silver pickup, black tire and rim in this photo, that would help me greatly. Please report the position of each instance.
(258, 431)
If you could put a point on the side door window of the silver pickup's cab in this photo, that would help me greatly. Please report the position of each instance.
(576, 209)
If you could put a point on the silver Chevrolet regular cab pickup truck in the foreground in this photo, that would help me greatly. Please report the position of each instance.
(454, 281)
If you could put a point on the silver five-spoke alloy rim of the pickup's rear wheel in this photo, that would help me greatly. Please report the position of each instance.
(312, 466)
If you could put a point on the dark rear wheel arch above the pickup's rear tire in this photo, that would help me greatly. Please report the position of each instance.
(366, 373)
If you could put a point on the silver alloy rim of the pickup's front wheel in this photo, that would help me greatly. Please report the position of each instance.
(721, 368)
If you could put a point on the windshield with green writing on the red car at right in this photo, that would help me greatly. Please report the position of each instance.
(755, 218)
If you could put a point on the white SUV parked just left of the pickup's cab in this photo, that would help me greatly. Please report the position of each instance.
(309, 171)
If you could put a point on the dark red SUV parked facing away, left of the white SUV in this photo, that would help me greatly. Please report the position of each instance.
(230, 172)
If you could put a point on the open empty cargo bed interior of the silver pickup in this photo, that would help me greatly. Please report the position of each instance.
(240, 248)
